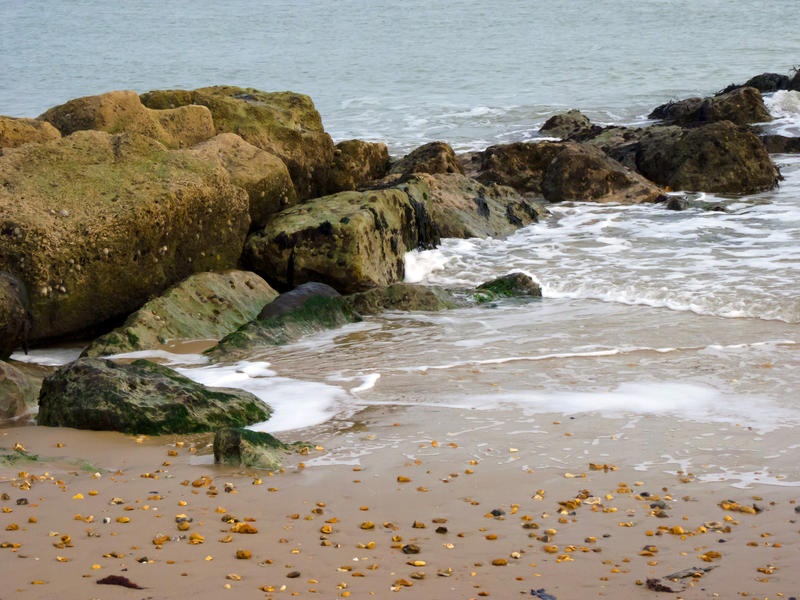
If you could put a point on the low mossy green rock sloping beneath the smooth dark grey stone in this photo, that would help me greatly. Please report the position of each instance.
(317, 313)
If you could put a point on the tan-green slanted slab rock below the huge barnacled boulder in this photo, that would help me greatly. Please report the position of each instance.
(203, 306)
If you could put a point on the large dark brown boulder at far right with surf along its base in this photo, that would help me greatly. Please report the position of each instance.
(718, 157)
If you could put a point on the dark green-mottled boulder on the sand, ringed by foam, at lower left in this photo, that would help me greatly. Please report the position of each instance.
(141, 398)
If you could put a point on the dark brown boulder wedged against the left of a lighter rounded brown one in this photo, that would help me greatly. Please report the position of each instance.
(520, 165)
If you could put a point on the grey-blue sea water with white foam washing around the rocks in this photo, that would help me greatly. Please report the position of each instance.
(672, 326)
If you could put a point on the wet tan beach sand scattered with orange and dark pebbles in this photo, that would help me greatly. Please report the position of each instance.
(312, 519)
